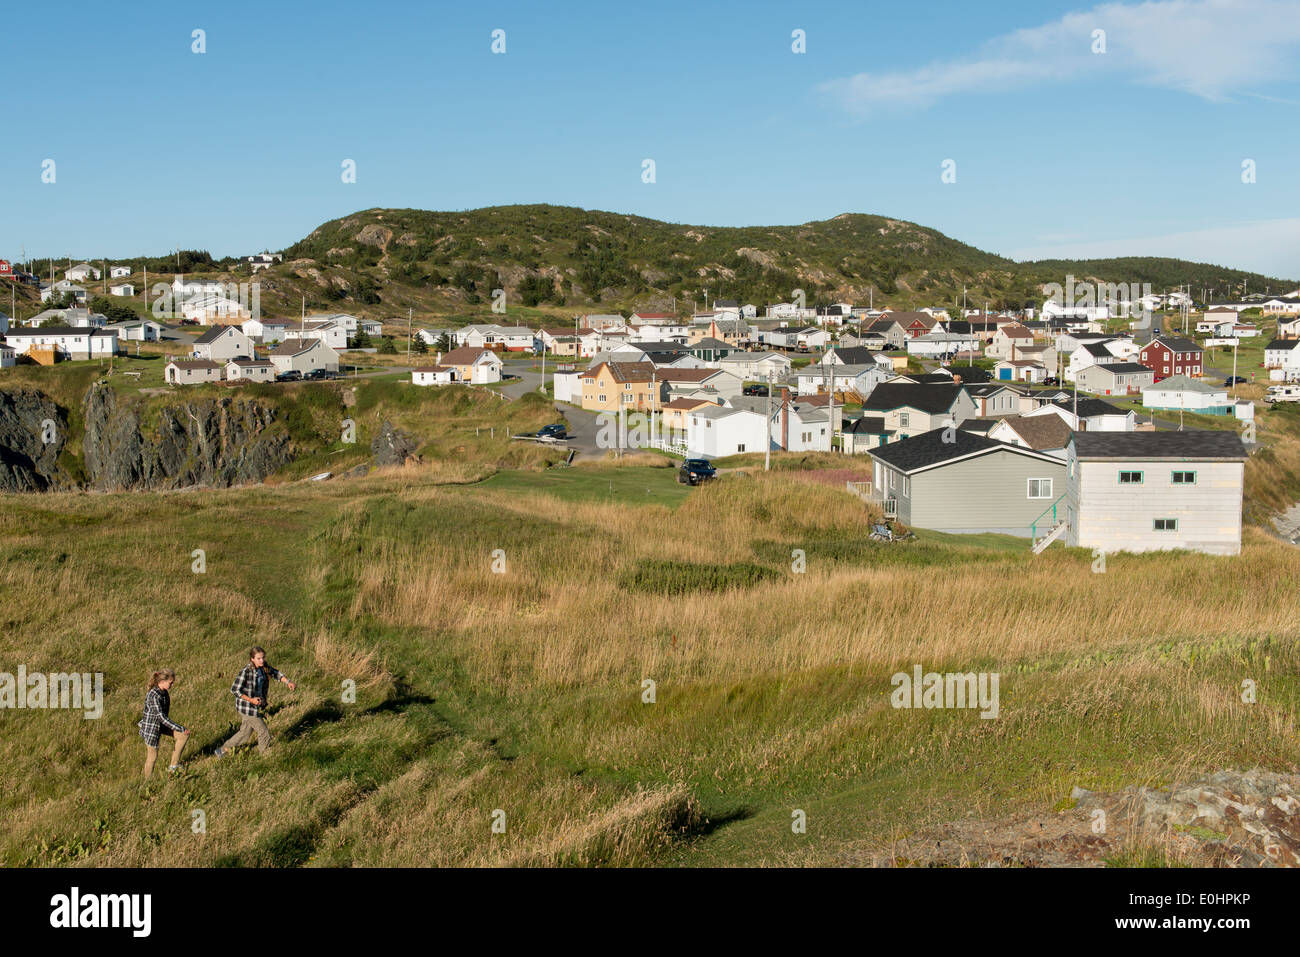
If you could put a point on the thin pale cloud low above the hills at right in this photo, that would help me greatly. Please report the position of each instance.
(1271, 248)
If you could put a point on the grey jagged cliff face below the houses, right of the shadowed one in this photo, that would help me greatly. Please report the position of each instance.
(216, 443)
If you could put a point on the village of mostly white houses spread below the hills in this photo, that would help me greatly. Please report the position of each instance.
(1059, 423)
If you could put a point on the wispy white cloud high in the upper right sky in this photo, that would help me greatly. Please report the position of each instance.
(1210, 49)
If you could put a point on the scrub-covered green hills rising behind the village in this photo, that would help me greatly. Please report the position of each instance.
(554, 261)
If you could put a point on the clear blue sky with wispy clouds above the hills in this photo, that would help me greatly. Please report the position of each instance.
(1059, 150)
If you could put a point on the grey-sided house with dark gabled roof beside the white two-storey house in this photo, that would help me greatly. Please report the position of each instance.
(956, 482)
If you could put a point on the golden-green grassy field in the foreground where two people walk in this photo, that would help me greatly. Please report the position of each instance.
(522, 691)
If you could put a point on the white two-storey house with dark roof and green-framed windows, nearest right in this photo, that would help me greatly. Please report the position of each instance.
(1155, 491)
